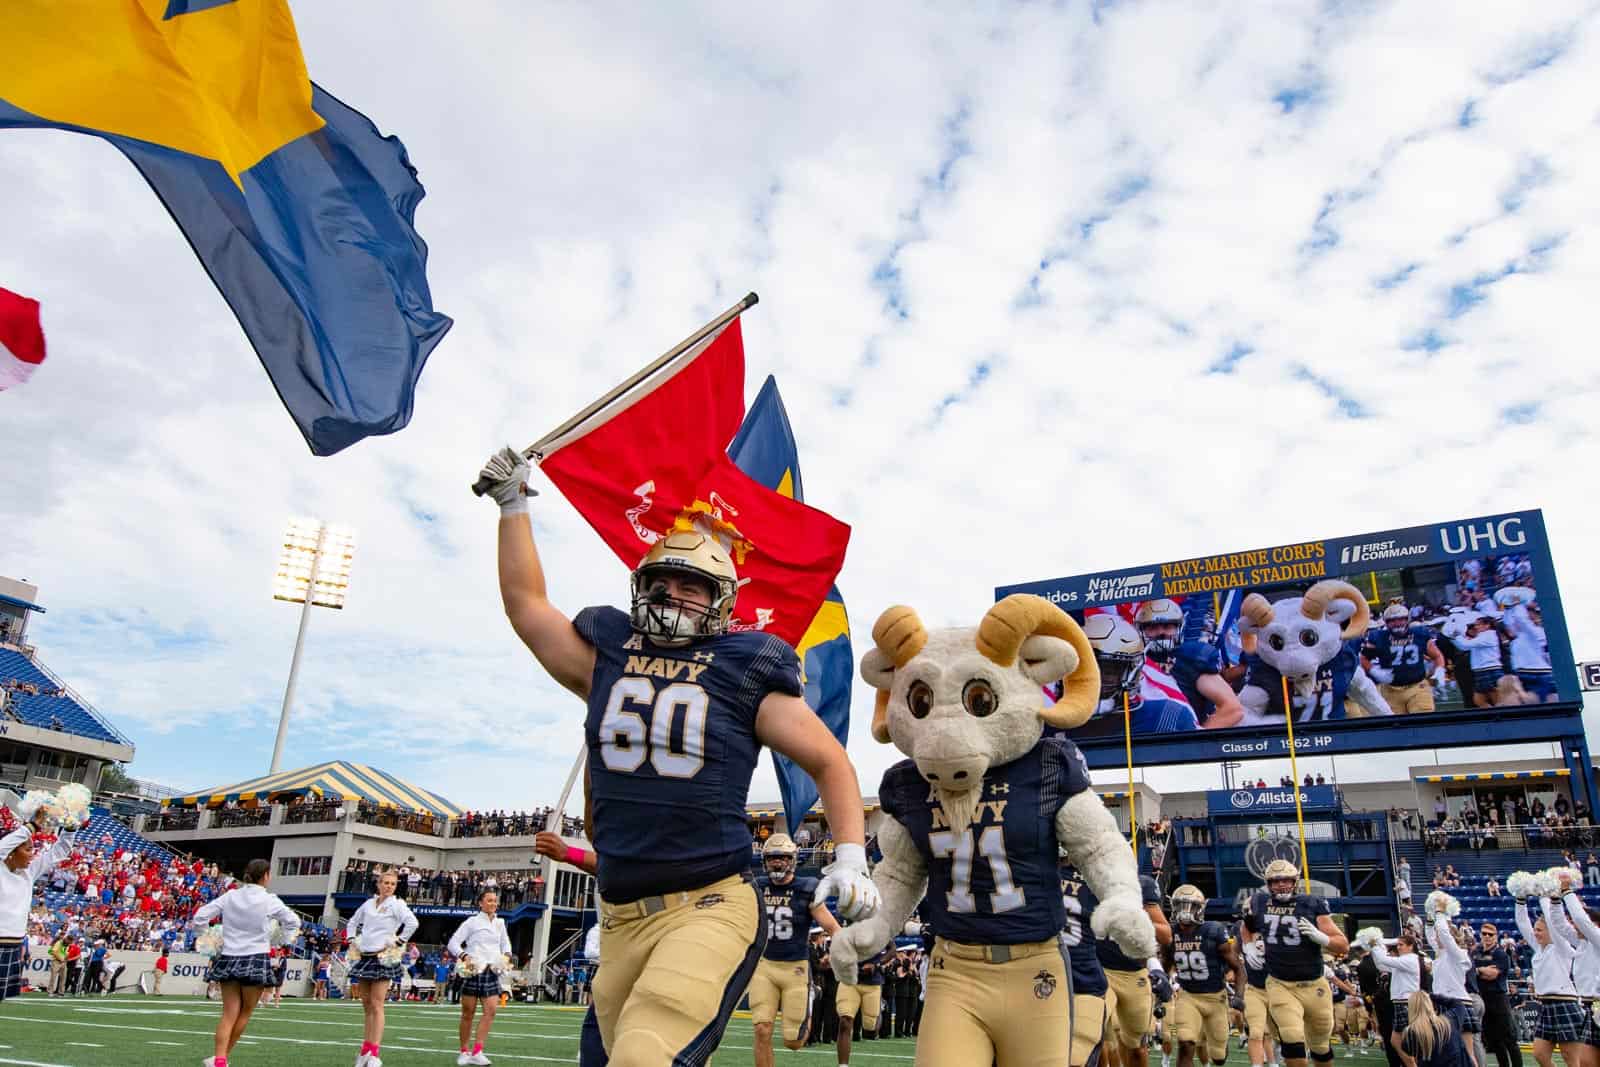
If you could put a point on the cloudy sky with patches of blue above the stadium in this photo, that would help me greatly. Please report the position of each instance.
(1049, 289)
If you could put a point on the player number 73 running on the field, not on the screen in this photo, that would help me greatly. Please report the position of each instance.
(1295, 929)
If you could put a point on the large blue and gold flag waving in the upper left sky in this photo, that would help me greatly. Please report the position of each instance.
(300, 210)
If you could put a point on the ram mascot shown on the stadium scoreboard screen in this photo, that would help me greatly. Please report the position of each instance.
(1314, 642)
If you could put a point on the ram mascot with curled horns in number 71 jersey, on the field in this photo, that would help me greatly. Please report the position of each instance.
(977, 820)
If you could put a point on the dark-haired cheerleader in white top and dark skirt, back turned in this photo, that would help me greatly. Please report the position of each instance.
(242, 970)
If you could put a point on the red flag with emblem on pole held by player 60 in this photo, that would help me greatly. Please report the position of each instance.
(654, 458)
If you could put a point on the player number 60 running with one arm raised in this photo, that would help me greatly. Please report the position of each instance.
(679, 709)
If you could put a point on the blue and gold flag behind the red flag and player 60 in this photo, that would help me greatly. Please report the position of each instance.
(766, 450)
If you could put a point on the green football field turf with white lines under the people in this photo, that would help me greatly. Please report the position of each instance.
(127, 1031)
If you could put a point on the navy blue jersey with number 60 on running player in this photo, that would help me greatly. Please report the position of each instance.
(671, 749)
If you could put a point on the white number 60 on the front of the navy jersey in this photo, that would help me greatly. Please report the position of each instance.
(626, 743)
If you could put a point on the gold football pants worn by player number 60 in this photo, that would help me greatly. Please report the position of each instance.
(673, 969)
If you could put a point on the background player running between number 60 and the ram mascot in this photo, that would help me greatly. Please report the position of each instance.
(783, 978)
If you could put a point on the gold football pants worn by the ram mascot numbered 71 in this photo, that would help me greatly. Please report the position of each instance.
(1009, 1013)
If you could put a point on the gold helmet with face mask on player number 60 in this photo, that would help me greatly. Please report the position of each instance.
(668, 620)
